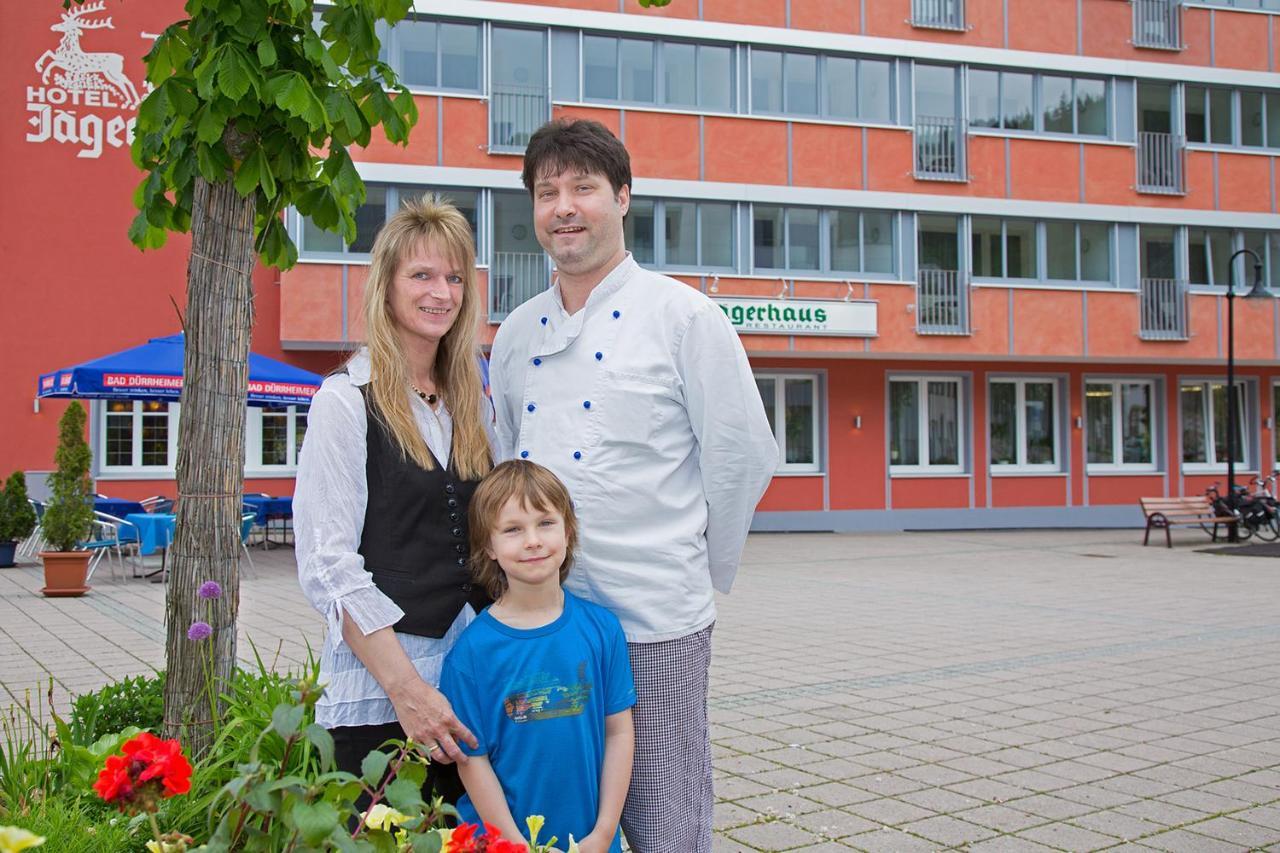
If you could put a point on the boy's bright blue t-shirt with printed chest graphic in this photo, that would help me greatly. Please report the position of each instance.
(537, 700)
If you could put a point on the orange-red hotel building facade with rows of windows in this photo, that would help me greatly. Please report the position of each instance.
(977, 250)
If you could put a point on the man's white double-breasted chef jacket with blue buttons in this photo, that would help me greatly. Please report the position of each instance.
(643, 403)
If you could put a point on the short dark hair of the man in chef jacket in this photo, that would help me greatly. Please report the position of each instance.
(577, 144)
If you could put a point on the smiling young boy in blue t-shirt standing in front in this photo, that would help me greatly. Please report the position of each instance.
(542, 678)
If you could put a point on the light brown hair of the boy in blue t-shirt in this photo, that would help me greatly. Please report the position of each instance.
(538, 490)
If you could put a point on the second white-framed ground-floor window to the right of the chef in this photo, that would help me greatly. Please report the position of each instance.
(926, 426)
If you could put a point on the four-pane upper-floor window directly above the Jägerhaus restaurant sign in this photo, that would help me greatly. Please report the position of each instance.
(822, 240)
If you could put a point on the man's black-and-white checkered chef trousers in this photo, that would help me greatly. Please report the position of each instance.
(670, 801)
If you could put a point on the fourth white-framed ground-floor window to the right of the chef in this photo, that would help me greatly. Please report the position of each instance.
(1119, 425)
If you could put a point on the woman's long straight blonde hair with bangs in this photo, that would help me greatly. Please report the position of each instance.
(437, 223)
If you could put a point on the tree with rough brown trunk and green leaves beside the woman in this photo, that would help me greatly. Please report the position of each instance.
(253, 111)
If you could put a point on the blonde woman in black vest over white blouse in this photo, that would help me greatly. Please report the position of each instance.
(396, 444)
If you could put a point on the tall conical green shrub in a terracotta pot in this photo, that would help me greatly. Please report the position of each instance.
(70, 514)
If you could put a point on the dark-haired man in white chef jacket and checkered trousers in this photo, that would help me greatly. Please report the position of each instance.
(636, 390)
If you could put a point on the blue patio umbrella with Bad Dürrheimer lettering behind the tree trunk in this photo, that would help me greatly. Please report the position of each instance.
(154, 372)
